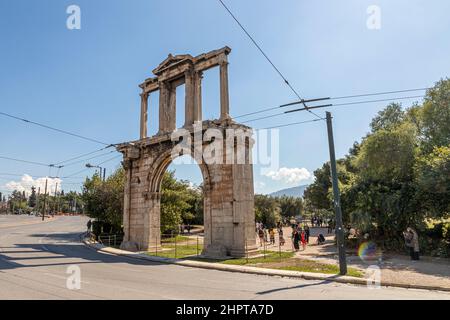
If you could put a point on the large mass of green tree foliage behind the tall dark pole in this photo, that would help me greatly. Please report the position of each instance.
(399, 175)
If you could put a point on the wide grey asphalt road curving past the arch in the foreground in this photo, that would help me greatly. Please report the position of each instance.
(35, 257)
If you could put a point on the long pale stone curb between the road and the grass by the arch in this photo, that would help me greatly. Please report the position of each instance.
(253, 270)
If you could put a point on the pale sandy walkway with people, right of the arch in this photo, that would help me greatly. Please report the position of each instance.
(394, 267)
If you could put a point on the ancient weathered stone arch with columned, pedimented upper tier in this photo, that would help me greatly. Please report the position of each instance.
(221, 147)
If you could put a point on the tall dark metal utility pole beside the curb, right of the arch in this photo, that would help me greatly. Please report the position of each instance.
(337, 199)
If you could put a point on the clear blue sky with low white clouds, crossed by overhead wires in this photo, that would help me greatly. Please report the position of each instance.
(86, 80)
